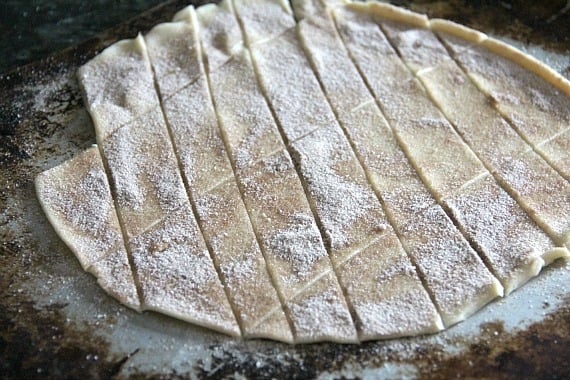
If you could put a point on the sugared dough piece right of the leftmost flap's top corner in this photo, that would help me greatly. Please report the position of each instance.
(144, 172)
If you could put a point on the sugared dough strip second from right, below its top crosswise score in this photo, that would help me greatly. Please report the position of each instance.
(481, 125)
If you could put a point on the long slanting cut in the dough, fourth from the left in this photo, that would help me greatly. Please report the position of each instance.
(247, 46)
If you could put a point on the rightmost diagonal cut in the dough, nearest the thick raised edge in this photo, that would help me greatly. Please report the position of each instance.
(521, 134)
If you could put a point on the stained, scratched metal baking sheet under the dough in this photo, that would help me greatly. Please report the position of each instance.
(56, 322)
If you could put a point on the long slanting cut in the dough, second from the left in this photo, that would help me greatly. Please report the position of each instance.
(188, 191)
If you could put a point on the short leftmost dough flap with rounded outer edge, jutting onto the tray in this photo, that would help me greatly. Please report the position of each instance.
(75, 197)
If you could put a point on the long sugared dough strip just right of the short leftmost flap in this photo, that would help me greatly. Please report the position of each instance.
(175, 272)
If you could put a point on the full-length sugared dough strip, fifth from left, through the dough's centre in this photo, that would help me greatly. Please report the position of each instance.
(348, 210)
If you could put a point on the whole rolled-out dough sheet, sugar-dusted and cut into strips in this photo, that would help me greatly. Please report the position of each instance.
(323, 172)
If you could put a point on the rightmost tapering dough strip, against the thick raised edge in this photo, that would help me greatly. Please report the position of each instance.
(539, 110)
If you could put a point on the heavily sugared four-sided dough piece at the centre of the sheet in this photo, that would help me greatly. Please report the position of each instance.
(347, 207)
